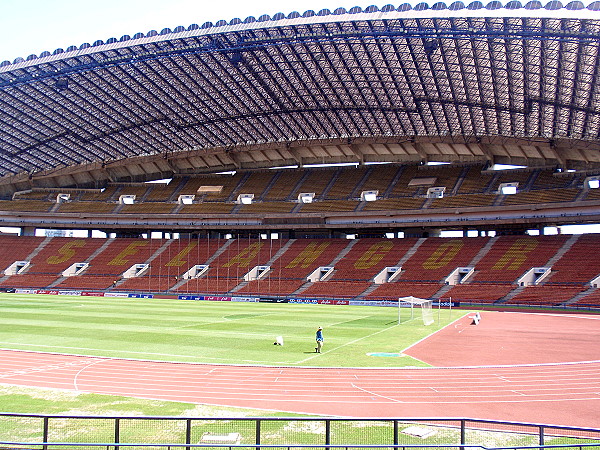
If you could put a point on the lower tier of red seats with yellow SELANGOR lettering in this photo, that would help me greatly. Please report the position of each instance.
(333, 268)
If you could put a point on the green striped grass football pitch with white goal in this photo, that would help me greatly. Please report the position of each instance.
(214, 332)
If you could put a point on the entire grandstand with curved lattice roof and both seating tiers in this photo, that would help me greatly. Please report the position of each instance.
(314, 155)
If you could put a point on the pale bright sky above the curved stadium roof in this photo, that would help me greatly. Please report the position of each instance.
(33, 26)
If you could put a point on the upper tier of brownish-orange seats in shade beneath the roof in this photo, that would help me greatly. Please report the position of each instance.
(336, 189)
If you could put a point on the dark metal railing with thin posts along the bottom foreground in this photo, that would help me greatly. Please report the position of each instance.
(47, 432)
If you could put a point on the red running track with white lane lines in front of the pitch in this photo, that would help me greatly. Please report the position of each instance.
(557, 393)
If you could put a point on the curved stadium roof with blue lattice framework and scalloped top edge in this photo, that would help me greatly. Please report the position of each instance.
(512, 83)
